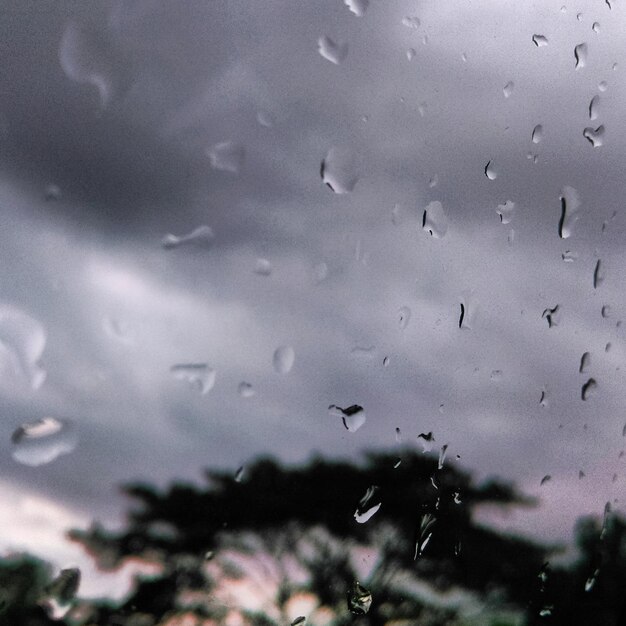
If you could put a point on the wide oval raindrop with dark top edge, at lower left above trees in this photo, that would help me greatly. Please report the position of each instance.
(42, 441)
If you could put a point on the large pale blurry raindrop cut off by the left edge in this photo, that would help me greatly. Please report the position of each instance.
(22, 341)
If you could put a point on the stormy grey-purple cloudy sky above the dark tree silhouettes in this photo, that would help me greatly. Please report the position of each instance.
(124, 122)
